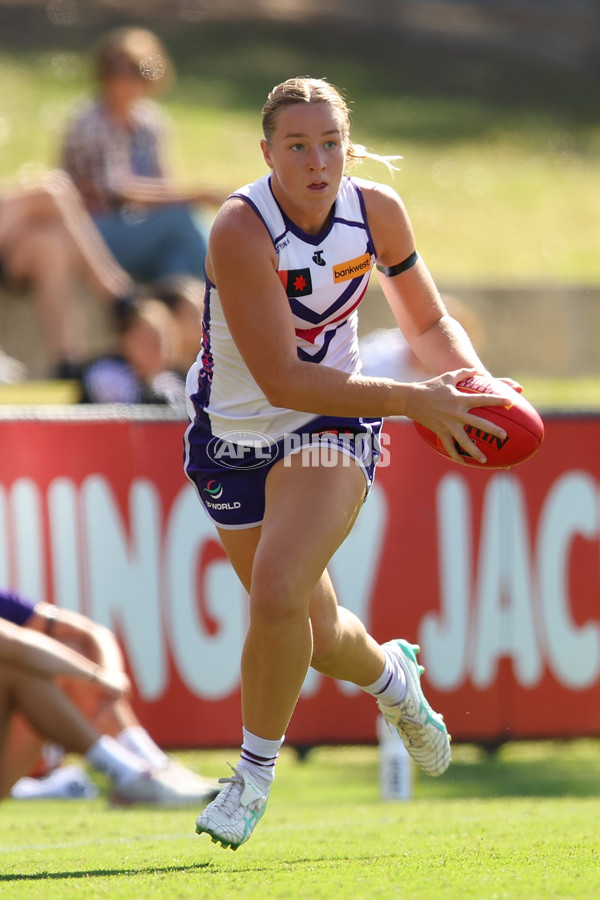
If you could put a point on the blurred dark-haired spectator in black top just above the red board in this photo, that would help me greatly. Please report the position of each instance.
(143, 368)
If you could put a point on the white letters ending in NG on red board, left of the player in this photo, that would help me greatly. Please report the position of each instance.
(135, 580)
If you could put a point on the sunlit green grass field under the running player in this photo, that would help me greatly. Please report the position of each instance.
(522, 823)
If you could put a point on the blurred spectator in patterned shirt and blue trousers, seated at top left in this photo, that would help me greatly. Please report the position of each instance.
(115, 152)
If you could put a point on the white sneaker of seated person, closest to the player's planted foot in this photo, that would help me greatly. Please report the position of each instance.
(161, 788)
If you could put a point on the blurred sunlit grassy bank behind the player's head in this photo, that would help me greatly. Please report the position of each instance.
(500, 167)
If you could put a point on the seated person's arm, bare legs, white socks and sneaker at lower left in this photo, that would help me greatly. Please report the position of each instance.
(65, 676)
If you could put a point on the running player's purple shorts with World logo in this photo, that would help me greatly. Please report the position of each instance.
(230, 472)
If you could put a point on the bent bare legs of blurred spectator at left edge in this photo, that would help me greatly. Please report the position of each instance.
(49, 243)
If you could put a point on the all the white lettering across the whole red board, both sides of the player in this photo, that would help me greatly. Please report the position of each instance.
(504, 593)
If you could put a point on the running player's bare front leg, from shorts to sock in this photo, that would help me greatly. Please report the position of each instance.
(310, 508)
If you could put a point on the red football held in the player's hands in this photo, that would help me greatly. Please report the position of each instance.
(521, 421)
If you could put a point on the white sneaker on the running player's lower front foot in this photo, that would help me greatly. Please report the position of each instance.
(233, 816)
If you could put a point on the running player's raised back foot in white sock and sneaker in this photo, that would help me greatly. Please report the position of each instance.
(422, 730)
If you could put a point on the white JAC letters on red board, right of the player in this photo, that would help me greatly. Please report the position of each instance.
(518, 606)
